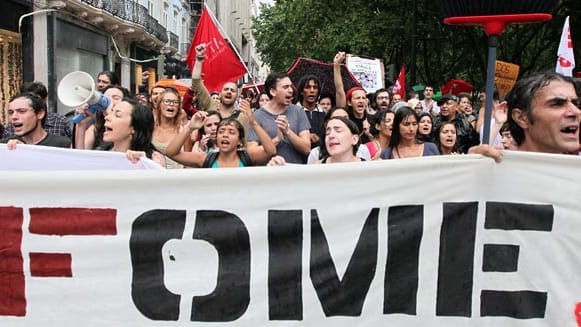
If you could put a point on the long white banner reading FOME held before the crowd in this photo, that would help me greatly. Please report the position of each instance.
(438, 241)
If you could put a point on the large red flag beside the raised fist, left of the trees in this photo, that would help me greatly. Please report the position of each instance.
(221, 64)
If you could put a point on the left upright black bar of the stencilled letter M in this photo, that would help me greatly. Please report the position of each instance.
(285, 248)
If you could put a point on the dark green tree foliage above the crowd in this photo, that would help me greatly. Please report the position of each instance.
(384, 29)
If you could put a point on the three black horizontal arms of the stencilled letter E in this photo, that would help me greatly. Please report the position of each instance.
(513, 216)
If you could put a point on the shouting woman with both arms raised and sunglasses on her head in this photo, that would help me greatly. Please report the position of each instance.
(230, 140)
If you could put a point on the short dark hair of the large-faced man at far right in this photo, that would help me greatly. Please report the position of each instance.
(523, 94)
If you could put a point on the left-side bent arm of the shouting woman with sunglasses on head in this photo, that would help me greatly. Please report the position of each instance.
(173, 150)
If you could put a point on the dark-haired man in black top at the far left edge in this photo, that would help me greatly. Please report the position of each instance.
(27, 114)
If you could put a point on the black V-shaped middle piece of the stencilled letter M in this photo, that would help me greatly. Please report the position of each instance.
(343, 297)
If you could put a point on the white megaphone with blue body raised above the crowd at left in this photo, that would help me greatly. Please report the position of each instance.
(78, 88)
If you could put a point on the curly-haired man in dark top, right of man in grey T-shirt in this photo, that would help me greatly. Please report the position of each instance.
(309, 88)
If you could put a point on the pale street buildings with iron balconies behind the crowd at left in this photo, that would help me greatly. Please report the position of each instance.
(44, 40)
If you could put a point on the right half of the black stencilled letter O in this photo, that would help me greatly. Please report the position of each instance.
(230, 299)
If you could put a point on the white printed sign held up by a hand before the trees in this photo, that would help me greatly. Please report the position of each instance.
(368, 71)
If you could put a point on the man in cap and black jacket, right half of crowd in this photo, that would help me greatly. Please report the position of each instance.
(467, 136)
